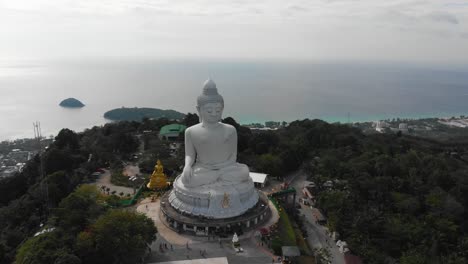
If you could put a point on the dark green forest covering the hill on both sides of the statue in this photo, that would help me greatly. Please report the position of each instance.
(394, 199)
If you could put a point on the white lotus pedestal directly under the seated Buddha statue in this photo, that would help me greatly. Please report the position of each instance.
(213, 201)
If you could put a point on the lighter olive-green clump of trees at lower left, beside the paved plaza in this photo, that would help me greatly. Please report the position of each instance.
(86, 233)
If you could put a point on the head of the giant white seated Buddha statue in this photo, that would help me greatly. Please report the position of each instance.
(210, 104)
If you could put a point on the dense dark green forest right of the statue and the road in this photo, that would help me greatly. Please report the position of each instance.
(395, 199)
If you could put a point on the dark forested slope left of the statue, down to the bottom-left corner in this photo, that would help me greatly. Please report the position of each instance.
(77, 216)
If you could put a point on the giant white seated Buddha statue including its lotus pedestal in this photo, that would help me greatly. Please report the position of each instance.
(212, 183)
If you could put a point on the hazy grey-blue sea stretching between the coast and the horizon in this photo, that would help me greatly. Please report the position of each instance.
(253, 91)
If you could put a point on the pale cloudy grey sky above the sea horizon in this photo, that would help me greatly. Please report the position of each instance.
(420, 31)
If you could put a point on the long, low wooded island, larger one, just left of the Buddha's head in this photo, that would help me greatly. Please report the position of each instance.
(137, 114)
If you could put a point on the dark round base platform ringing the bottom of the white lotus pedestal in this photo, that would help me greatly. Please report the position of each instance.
(204, 226)
